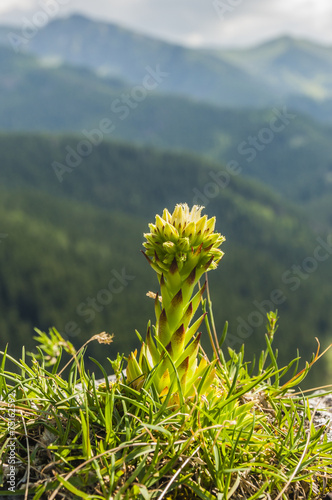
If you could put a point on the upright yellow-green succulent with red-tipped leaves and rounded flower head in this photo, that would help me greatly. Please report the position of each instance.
(180, 247)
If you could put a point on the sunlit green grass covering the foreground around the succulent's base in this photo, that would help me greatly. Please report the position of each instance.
(72, 438)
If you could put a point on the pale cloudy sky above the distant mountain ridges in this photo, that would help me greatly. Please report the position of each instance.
(196, 22)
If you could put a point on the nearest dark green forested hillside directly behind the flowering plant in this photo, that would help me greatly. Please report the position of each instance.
(55, 258)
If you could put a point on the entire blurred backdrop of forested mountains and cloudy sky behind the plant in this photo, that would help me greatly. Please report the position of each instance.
(111, 111)
